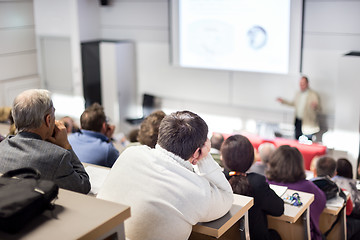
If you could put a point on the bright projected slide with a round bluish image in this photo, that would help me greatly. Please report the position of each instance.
(243, 35)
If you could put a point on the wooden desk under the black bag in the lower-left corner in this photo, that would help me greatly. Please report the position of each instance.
(77, 216)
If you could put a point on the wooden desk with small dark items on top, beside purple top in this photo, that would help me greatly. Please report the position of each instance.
(295, 222)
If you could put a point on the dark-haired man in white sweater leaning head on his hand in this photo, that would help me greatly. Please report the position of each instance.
(160, 185)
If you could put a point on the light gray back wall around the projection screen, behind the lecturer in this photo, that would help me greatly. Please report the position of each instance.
(332, 28)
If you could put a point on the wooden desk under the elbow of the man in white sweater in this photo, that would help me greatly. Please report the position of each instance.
(227, 227)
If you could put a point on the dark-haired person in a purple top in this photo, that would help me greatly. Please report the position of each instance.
(286, 168)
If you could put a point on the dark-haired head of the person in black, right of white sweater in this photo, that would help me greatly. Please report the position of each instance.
(237, 153)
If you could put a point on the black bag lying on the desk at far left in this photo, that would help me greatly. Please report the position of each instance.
(24, 197)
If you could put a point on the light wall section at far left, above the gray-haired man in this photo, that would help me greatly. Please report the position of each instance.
(18, 62)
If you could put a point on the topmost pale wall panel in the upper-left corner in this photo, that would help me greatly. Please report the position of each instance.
(16, 14)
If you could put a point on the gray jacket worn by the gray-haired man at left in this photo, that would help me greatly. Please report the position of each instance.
(54, 163)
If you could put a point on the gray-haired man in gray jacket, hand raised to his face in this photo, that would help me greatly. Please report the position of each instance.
(42, 143)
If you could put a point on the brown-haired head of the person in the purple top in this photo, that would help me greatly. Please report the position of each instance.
(286, 164)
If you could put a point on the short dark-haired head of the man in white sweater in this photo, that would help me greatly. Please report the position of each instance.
(182, 133)
